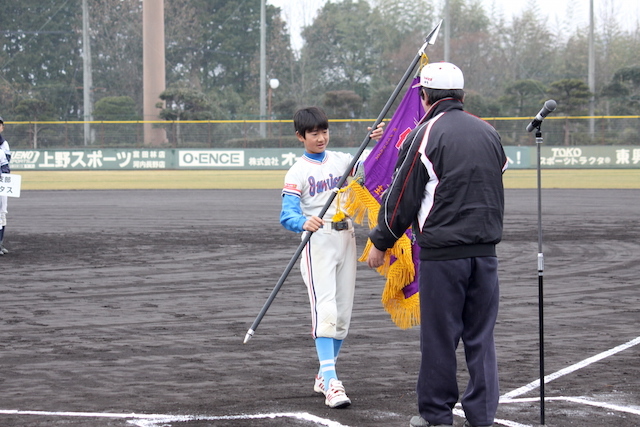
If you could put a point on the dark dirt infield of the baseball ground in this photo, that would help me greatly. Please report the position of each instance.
(121, 304)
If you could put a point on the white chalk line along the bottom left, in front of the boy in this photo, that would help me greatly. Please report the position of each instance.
(153, 420)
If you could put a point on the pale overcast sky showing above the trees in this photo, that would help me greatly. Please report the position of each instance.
(300, 13)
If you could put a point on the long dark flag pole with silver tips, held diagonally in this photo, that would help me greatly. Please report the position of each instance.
(430, 39)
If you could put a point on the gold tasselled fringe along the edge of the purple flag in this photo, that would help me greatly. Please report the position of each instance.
(405, 312)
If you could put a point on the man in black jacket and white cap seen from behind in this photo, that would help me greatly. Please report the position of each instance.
(448, 185)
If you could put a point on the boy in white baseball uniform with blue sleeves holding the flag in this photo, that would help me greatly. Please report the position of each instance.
(328, 262)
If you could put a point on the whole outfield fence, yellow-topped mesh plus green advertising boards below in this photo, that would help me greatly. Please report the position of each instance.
(568, 142)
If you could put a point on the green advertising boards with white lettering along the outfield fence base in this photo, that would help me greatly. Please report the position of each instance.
(583, 157)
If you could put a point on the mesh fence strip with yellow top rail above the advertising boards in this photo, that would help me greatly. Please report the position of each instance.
(559, 131)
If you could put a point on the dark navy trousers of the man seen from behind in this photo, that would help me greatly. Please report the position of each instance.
(458, 300)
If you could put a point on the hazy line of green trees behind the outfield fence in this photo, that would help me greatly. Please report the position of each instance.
(354, 53)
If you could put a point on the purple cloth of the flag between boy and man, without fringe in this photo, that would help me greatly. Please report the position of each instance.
(380, 163)
